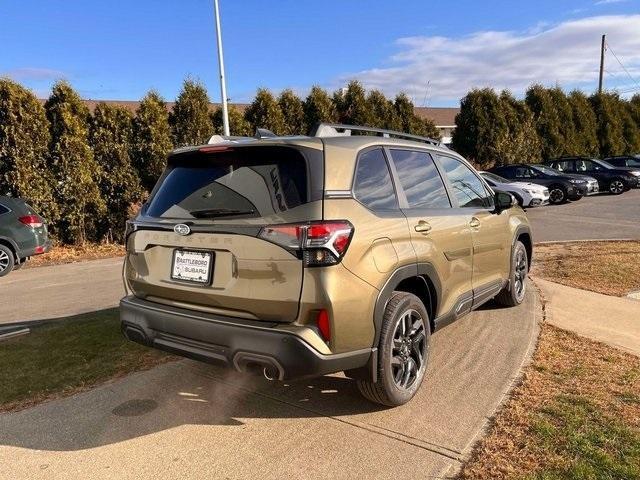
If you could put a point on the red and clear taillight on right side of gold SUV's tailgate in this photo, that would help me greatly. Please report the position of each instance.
(318, 243)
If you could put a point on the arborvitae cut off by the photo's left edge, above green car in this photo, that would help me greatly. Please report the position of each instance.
(24, 144)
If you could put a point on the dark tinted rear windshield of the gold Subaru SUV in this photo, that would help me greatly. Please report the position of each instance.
(239, 182)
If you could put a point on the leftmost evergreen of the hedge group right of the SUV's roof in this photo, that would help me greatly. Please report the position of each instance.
(481, 128)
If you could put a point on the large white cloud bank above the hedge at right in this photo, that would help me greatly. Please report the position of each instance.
(567, 53)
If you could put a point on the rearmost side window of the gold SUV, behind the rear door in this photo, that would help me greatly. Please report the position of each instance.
(372, 185)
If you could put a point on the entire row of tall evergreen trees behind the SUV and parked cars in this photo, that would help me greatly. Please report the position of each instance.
(85, 172)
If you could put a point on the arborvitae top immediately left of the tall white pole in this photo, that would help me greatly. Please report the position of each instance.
(189, 120)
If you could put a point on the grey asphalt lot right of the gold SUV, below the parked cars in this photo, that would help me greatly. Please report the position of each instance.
(599, 217)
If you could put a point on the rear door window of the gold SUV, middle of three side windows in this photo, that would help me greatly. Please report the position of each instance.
(420, 179)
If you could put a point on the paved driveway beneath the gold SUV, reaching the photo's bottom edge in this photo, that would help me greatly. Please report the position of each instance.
(190, 420)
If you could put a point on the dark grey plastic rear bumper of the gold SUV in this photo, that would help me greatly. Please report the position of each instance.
(222, 340)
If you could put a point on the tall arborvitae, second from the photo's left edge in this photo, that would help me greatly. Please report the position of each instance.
(73, 166)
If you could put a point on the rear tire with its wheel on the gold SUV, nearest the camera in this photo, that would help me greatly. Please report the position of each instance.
(403, 352)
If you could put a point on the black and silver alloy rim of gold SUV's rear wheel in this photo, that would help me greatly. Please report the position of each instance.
(409, 350)
